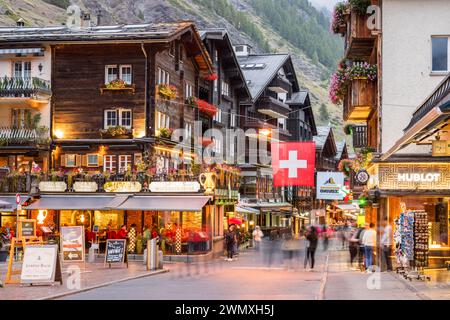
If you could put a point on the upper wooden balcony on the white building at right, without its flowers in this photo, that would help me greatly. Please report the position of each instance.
(359, 41)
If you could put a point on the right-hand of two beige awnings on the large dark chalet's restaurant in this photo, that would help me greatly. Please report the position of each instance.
(165, 203)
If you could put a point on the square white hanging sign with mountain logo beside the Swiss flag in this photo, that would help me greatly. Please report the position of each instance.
(330, 185)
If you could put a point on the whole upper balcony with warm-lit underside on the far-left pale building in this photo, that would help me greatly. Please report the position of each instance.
(32, 91)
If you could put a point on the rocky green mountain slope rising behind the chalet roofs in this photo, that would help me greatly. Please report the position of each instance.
(297, 28)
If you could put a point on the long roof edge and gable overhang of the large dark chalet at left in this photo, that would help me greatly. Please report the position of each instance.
(115, 34)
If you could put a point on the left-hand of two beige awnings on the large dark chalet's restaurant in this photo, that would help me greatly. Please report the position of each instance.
(74, 202)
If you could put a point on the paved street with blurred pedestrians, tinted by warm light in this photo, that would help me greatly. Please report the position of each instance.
(251, 277)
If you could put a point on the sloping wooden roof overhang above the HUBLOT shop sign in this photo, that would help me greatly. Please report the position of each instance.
(431, 117)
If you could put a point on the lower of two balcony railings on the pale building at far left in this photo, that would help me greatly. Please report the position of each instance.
(14, 136)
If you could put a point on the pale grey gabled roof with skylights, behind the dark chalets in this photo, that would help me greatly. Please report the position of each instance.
(265, 70)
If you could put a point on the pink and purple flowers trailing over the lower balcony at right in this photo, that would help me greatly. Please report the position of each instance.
(345, 74)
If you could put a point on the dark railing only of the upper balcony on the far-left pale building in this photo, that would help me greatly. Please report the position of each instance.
(14, 87)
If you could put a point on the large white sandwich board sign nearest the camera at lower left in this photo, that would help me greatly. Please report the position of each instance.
(41, 265)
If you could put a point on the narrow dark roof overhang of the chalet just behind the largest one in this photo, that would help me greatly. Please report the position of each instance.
(230, 60)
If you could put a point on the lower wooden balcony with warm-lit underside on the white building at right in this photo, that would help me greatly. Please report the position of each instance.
(360, 100)
